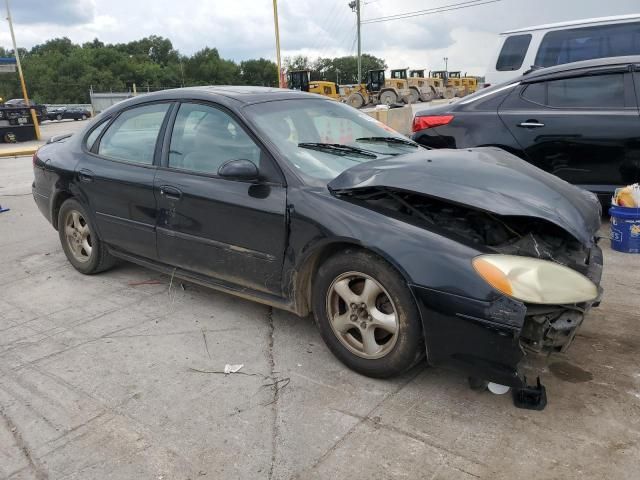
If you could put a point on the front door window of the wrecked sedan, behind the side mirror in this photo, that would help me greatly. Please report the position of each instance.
(205, 137)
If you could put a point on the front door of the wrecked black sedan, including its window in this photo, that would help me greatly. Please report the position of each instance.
(230, 230)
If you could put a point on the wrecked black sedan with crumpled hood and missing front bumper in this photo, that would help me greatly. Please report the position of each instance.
(466, 257)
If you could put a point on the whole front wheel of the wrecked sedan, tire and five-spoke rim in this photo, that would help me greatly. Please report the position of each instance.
(385, 353)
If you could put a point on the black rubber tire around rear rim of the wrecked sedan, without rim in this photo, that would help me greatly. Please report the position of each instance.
(99, 259)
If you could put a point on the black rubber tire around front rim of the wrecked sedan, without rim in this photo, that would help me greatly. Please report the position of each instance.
(408, 348)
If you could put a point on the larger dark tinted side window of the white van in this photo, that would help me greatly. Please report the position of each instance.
(573, 45)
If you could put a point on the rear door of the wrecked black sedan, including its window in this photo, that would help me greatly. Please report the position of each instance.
(116, 177)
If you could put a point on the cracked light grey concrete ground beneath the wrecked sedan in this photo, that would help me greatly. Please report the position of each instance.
(101, 377)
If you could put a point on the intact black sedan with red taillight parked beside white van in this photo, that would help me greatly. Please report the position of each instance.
(579, 121)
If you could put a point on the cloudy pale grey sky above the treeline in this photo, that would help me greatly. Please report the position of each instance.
(243, 29)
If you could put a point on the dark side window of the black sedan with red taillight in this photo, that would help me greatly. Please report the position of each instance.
(598, 91)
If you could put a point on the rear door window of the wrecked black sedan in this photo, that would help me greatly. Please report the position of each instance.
(133, 135)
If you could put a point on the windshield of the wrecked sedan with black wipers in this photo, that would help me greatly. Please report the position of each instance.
(307, 132)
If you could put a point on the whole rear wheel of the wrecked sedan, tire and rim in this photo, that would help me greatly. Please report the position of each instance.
(84, 250)
